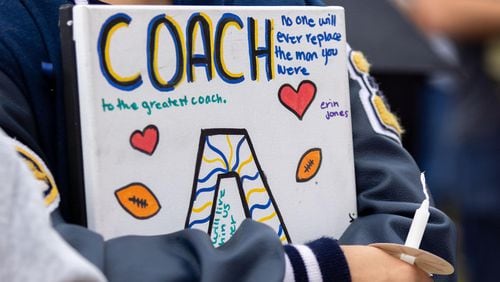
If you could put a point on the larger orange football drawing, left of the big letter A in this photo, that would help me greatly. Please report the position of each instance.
(138, 200)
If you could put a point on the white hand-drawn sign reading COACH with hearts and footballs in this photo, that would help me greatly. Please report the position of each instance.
(202, 117)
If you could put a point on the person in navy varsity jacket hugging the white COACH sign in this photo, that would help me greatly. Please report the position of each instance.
(32, 115)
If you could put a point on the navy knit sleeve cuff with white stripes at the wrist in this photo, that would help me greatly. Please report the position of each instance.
(319, 260)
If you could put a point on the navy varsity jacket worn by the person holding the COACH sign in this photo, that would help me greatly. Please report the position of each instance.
(31, 111)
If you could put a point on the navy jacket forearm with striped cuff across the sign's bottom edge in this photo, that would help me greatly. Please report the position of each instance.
(254, 253)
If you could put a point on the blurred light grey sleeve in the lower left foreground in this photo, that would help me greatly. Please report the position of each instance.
(31, 250)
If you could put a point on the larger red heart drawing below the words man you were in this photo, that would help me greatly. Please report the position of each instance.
(297, 101)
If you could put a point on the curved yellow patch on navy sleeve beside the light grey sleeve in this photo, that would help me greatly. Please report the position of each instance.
(41, 173)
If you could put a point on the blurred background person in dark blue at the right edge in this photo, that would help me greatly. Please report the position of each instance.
(461, 144)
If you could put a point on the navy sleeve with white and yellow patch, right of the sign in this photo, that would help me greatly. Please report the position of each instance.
(388, 183)
